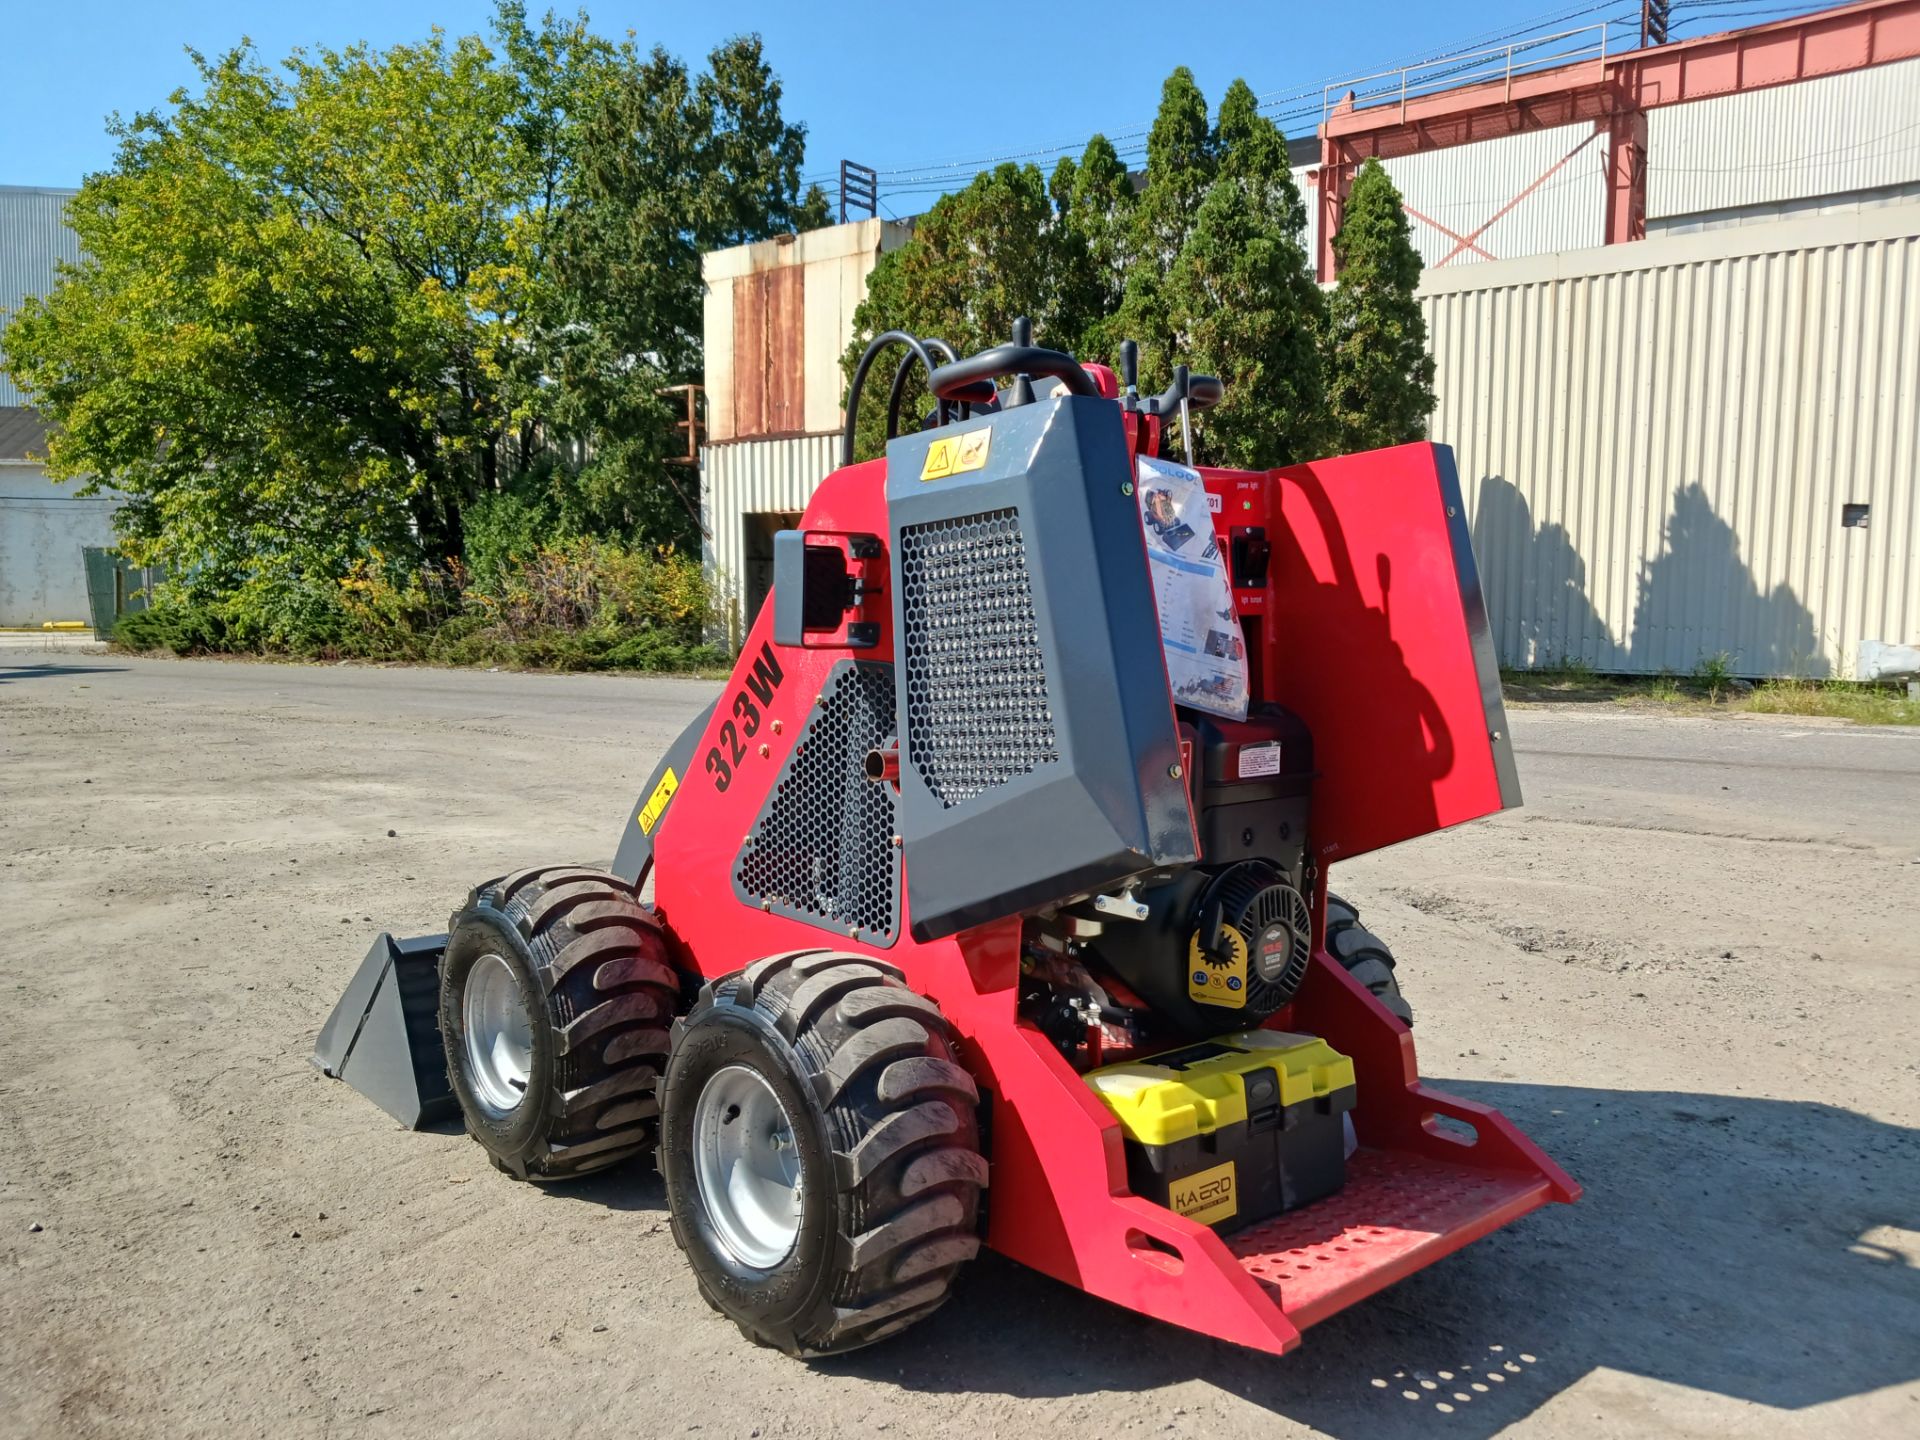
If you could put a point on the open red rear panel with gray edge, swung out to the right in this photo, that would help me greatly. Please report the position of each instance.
(1374, 631)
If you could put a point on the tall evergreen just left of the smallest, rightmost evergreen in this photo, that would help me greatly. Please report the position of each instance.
(1245, 299)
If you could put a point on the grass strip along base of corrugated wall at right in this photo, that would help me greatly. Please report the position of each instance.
(1714, 690)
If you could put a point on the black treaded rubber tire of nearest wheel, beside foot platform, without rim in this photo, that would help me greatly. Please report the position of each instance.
(888, 1138)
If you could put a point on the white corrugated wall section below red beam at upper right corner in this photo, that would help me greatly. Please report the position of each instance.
(1842, 133)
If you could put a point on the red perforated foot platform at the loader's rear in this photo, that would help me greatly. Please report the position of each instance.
(1397, 1214)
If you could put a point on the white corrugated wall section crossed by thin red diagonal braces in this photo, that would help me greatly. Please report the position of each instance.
(1468, 187)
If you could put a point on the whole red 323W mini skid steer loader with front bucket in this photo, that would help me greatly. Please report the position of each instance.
(976, 919)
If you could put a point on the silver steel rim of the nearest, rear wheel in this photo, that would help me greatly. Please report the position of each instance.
(748, 1166)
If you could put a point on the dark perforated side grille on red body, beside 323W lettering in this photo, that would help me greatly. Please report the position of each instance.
(823, 848)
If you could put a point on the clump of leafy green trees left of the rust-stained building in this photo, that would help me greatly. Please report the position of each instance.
(327, 308)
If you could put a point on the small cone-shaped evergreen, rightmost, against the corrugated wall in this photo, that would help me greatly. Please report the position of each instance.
(1380, 375)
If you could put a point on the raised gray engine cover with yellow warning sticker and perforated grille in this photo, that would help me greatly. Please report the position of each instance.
(1040, 757)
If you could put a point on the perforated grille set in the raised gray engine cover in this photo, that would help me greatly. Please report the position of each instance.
(976, 679)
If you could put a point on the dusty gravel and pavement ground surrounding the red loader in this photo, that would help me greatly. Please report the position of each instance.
(1689, 969)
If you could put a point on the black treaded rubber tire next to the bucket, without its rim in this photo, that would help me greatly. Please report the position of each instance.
(602, 994)
